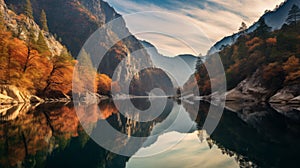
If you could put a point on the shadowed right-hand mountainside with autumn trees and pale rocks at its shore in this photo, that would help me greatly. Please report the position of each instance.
(262, 65)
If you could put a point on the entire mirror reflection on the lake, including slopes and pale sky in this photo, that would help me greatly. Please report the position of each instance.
(50, 135)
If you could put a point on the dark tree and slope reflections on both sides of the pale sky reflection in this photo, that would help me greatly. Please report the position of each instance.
(51, 135)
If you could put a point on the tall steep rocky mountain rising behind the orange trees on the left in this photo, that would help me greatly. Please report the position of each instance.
(124, 57)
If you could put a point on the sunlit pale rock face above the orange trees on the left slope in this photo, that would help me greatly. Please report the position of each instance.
(20, 27)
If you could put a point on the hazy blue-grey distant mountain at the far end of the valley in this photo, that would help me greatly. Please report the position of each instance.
(180, 67)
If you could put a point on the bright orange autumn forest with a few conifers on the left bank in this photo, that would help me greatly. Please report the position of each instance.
(29, 64)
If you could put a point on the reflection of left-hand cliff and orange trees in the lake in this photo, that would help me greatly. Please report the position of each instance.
(36, 136)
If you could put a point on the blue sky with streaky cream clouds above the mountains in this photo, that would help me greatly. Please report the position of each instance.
(188, 27)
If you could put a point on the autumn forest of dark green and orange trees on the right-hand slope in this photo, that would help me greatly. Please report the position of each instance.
(275, 54)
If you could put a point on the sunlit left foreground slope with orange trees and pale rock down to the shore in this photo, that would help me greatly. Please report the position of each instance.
(31, 58)
